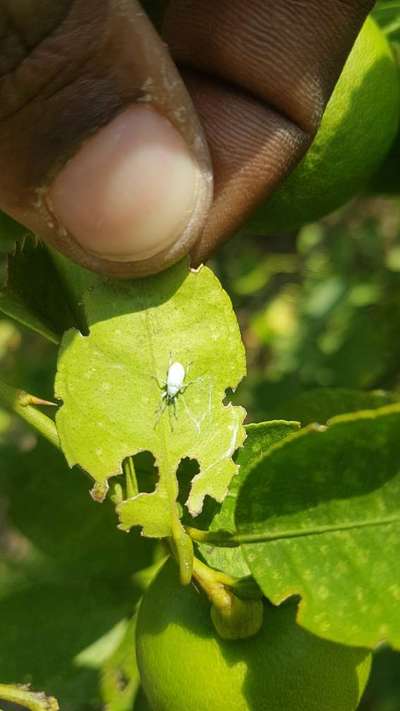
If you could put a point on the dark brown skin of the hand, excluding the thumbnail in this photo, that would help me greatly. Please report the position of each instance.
(259, 73)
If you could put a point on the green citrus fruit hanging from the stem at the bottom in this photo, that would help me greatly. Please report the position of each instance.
(185, 666)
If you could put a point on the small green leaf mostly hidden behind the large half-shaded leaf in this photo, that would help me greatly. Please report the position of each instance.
(260, 437)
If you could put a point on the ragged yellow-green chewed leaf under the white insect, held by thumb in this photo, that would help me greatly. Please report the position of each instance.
(113, 387)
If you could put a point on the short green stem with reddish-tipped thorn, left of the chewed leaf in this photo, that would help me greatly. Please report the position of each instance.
(21, 403)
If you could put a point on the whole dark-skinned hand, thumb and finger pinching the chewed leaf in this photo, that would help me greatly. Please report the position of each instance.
(101, 151)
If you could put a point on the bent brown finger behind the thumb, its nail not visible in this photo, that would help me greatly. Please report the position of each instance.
(260, 74)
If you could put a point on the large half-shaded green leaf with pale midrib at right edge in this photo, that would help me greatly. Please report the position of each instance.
(319, 517)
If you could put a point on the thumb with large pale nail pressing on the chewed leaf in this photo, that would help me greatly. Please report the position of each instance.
(101, 152)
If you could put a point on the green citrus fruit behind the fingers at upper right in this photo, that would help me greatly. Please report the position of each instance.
(356, 132)
